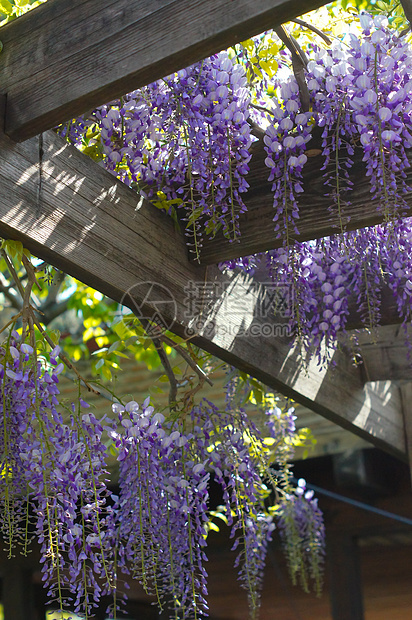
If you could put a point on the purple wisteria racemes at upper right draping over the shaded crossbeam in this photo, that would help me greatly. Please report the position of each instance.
(361, 98)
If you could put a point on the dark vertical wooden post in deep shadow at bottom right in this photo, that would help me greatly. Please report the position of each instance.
(345, 577)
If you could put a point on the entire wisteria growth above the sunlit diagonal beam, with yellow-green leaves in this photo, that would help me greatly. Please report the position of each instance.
(184, 142)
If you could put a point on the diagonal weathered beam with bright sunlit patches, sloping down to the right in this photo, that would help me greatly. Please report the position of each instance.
(87, 223)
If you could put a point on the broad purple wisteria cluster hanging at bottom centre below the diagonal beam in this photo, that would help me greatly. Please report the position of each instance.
(163, 509)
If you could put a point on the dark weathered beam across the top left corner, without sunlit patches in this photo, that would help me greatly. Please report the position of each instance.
(68, 56)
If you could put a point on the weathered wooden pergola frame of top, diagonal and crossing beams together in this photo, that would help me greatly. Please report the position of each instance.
(68, 56)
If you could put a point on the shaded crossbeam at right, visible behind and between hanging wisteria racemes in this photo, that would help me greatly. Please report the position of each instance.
(315, 218)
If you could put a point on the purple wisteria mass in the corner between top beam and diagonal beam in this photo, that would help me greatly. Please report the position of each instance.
(183, 140)
